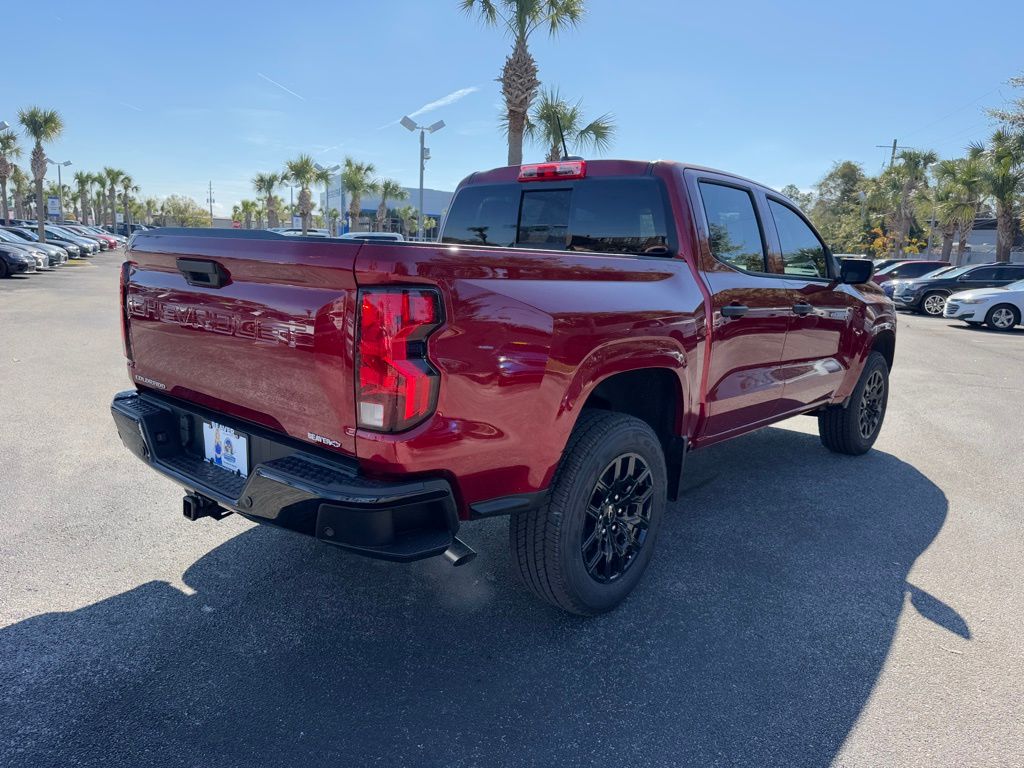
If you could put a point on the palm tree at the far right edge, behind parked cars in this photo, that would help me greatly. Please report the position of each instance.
(1003, 181)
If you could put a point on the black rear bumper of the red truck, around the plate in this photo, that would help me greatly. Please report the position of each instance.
(289, 486)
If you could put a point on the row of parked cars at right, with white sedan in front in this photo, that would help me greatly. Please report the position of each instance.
(977, 294)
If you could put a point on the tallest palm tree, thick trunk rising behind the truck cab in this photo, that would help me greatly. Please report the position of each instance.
(520, 20)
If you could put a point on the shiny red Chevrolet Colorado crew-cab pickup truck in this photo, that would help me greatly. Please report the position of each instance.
(579, 328)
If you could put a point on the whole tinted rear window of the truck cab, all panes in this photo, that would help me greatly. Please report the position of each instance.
(605, 216)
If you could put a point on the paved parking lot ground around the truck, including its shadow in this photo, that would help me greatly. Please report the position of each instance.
(804, 609)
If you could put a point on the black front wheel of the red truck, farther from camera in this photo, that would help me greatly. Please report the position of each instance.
(854, 430)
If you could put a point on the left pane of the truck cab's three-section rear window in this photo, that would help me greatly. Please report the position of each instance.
(484, 216)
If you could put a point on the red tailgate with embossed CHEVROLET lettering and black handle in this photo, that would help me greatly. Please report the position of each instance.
(260, 329)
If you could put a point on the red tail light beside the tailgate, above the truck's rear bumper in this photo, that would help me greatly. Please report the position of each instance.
(397, 385)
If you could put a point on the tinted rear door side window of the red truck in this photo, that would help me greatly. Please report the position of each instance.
(735, 235)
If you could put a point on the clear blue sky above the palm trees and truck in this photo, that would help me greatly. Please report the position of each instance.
(183, 94)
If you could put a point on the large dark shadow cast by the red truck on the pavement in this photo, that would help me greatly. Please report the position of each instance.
(755, 639)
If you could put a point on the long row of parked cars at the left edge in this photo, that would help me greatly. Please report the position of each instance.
(23, 252)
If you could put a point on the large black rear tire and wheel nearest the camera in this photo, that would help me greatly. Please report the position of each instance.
(587, 547)
